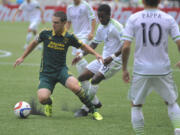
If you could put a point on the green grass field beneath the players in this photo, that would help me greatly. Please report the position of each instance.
(21, 84)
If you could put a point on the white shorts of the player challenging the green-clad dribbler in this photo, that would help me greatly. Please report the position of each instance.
(107, 71)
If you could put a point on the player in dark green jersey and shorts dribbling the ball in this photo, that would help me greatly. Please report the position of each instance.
(53, 63)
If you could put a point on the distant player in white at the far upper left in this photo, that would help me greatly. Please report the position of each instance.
(34, 14)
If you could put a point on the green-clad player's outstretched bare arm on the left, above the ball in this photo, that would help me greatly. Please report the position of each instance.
(28, 50)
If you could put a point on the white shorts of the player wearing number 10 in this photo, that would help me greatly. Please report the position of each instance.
(143, 85)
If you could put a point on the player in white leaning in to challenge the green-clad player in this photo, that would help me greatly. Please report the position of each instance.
(109, 32)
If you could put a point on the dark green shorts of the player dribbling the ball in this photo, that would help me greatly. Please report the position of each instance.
(49, 80)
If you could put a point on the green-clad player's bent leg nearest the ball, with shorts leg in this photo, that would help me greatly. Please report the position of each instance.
(45, 90)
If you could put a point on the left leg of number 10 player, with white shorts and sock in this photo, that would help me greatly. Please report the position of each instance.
(140, 88)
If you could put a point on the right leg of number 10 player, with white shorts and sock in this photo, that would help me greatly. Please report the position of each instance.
(168, 91)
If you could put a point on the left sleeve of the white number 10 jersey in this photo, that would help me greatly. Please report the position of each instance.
(128, 32)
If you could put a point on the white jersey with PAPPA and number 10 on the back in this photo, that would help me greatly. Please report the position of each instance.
(151, 29)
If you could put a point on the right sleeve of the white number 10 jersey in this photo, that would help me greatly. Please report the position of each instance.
(174, 30)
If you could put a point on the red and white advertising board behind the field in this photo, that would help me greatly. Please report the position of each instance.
(121, 14)
